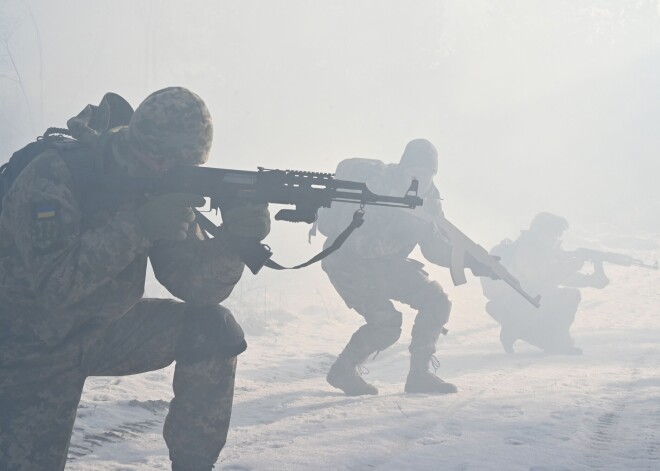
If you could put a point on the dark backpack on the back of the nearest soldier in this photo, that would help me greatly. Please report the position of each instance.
(83, 130)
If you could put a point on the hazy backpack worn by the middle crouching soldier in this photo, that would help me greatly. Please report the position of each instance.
(331, 221)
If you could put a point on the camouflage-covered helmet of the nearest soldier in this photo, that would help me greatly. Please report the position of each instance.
(172, 124)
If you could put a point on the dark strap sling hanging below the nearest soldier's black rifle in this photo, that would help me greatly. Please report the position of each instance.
(358, 219)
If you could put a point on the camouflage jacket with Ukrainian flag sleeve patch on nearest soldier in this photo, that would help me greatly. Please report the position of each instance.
(66, 270)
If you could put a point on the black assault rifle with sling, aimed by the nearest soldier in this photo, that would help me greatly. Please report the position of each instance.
(306, 191)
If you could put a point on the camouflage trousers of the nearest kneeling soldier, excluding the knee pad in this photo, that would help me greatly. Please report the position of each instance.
(39, 396)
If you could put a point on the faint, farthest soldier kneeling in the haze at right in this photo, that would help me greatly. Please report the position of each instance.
(537, 259)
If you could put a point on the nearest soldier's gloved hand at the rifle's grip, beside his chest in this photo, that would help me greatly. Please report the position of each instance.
(168, 216)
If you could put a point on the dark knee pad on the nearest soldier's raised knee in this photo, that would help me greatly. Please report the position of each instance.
(209, 331)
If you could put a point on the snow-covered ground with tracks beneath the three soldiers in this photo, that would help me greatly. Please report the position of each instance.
(527, 411)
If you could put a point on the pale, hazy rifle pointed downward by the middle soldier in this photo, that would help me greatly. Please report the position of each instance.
(462, 245)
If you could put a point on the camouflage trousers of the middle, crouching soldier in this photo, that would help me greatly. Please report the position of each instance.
(370, 286)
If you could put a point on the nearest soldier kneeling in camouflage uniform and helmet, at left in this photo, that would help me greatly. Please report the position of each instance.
(72, 274)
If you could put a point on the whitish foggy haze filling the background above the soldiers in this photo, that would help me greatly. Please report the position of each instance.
(533, 105)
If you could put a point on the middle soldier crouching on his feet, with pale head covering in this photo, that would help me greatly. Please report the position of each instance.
(373, 268)
